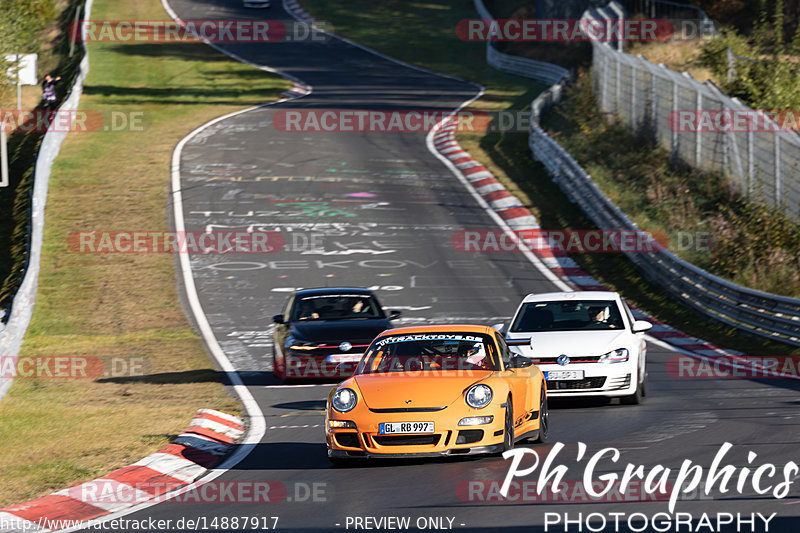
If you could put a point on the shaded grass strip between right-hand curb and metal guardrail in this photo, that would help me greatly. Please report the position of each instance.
(424, 34)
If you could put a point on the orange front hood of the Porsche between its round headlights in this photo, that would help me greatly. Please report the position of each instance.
(423, 389)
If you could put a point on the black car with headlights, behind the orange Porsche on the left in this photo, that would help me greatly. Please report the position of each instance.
(320, 329)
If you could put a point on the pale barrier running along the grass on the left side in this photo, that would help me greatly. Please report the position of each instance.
(22, 307)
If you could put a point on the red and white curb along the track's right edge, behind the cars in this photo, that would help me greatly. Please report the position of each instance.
(518, 217)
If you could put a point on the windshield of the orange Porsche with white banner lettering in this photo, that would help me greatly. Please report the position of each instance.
(429, 351)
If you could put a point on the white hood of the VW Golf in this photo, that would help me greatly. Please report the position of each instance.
(572, 343)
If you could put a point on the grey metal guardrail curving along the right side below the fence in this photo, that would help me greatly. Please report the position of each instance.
(768, 315)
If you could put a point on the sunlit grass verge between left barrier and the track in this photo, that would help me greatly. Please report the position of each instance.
(55, 432)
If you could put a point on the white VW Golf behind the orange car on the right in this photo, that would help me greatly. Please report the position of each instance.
(586, 343)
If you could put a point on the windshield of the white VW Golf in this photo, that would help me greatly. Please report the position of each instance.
(568, 316)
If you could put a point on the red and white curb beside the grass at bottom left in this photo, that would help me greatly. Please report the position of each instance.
(210, 436)
